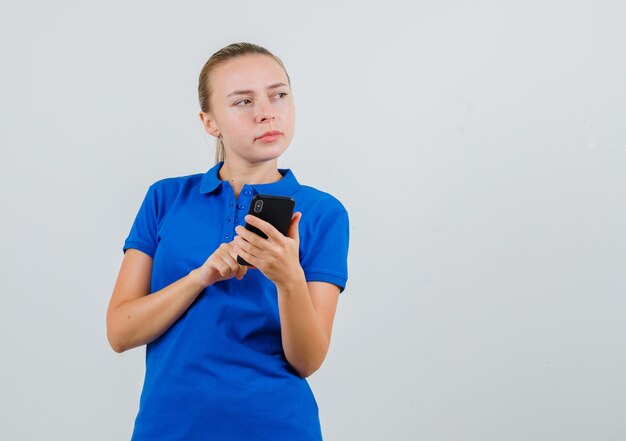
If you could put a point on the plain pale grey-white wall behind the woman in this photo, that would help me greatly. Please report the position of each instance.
(479, 147)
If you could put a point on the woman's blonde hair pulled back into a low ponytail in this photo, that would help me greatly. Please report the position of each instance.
(220, 57)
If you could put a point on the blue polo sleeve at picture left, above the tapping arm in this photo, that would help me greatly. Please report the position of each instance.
(143, 233)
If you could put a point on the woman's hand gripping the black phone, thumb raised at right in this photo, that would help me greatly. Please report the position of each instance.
(278, 256)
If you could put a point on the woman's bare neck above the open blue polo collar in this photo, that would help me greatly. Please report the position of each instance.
(238, 173)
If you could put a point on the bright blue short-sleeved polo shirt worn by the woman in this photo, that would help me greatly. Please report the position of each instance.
(220, 372)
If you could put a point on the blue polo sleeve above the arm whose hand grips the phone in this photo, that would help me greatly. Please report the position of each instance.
(326, 259)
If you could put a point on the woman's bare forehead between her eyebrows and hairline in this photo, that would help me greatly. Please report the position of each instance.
(246, 72)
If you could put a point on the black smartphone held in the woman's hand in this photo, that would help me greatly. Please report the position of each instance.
(277, 210)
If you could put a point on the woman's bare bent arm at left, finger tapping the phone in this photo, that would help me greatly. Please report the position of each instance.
(135, 318)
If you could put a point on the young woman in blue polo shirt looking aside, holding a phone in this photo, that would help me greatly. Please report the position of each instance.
(229, 347)
